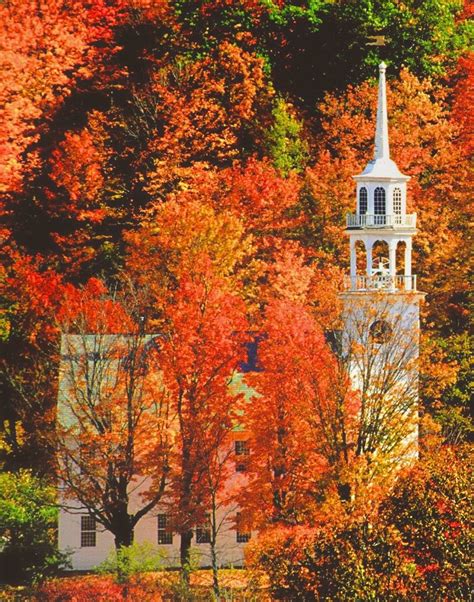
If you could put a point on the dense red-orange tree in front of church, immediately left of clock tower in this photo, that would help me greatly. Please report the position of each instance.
(286, 465)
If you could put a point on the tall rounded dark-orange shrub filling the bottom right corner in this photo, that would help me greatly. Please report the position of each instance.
(431, 507)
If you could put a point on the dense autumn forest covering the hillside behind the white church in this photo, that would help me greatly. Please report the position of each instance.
(159, 157)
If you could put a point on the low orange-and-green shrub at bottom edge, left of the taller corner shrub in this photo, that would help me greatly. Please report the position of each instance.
(350, 559)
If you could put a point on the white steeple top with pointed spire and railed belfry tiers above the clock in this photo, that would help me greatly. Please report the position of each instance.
(381, 212)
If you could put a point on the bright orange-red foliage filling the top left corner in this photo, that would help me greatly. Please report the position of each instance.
(47, 46)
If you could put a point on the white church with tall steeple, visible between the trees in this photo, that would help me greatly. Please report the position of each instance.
(381, 312)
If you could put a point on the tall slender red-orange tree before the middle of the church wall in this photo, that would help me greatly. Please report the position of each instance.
(198, 357)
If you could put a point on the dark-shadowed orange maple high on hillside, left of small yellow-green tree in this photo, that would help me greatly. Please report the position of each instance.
(186, 113)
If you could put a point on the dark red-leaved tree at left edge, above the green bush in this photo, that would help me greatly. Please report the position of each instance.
(31, 295)
